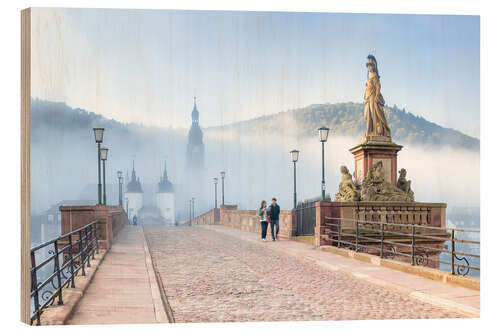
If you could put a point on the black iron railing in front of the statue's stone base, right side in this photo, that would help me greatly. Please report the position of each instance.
(411, 241)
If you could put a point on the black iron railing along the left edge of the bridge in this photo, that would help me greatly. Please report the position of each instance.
(57, 262)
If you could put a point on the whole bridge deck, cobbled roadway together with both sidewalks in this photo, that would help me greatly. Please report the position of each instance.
(218, 273)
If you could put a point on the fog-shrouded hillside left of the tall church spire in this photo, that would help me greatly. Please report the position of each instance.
(64, 152)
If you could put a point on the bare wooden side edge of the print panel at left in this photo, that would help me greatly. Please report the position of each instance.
(25, 162)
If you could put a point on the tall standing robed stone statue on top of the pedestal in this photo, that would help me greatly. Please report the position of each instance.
(376, 124)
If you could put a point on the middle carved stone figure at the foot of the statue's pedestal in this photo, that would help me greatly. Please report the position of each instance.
(376, 188)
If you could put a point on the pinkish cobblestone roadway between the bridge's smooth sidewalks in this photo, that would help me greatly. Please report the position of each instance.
(214, 277)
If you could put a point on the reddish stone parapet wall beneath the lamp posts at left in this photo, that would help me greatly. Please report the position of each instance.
(112, 219)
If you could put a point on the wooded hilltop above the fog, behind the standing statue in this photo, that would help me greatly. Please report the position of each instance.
(346, 119)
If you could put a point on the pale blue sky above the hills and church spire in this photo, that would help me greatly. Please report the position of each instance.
(145, 65)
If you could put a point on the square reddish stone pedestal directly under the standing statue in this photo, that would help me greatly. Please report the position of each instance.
(367, 153)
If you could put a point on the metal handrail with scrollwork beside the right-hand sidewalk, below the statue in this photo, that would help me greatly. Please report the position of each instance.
(388, 247)
